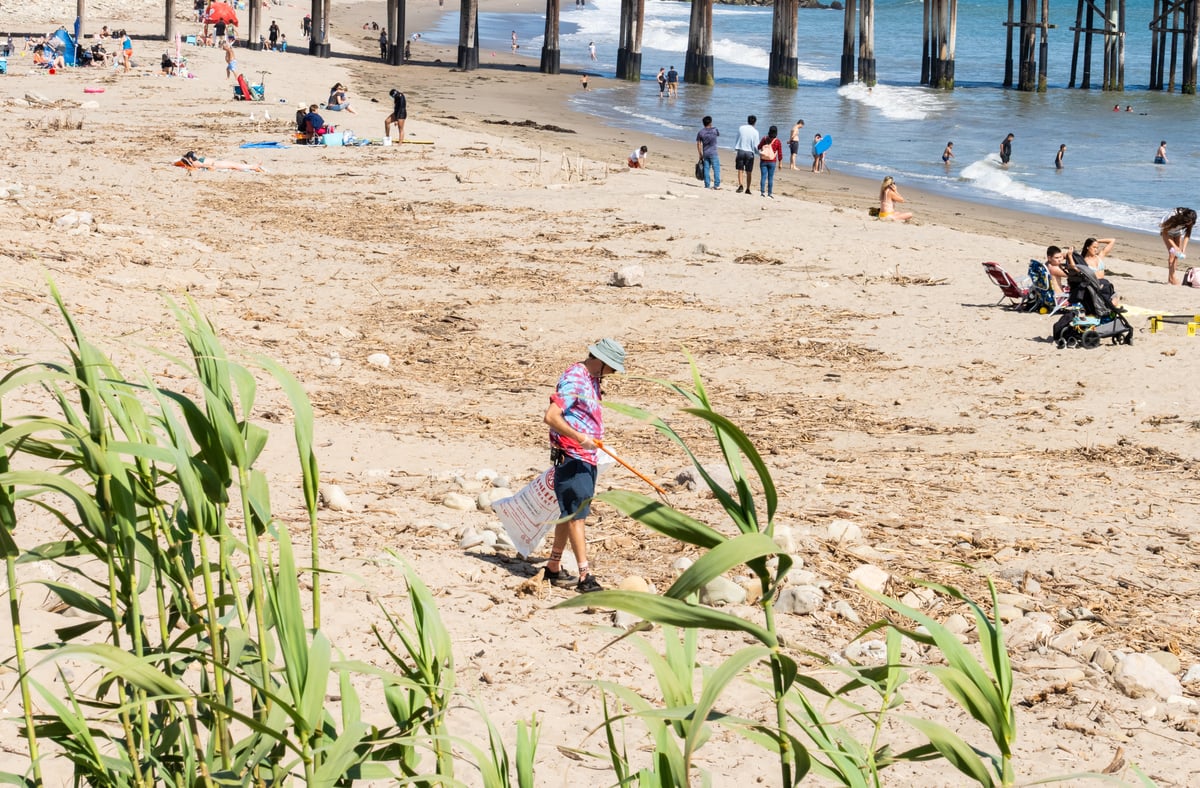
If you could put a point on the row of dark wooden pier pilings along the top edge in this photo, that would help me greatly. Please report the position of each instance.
(1100, 26)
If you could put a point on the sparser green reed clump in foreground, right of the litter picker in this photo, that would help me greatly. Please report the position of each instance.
(815, 727)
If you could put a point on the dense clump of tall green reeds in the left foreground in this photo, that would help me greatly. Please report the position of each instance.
(213, 666)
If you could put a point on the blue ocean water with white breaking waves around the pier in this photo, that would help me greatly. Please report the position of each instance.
(901, 128)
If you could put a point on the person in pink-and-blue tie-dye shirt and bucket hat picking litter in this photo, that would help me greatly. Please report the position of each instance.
(577, 423)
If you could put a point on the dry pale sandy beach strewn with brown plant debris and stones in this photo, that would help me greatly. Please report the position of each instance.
(869, 362)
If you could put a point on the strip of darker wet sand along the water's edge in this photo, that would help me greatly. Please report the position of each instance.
(508, 87)
